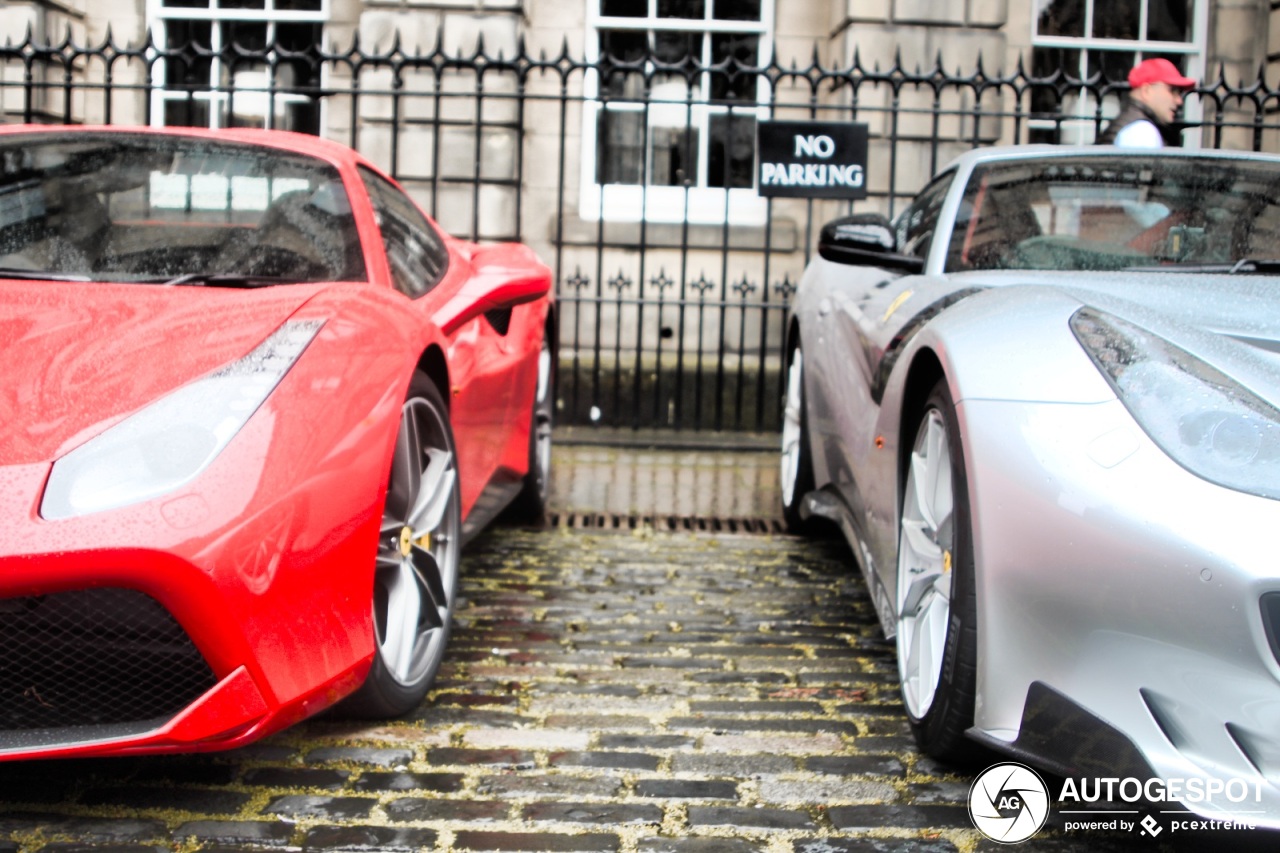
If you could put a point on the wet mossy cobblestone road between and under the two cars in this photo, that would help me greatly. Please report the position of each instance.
(629, 692)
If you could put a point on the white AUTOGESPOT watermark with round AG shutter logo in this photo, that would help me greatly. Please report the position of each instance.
(1009, 804)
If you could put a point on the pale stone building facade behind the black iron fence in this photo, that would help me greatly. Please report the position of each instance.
(607, 148)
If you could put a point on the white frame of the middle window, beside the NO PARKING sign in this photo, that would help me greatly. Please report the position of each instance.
(664, 204)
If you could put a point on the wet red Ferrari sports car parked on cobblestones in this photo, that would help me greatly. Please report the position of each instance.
(254, 402)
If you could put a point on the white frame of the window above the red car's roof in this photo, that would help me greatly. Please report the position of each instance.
(253, 95)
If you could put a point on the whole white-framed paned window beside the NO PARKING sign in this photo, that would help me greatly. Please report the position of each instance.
(671, 110)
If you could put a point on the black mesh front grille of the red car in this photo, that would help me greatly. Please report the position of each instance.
(94, 658)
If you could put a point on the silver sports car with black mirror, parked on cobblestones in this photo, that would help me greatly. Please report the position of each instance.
(1044, 407)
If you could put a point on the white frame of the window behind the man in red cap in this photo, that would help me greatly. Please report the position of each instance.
(1080, 108)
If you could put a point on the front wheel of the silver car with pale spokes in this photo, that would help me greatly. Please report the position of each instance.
(938, 615)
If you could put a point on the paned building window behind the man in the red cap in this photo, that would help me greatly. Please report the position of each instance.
(1085, 38)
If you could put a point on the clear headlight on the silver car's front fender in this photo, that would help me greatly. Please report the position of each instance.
(1200, 417)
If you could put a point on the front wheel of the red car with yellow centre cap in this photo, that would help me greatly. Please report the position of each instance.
(417, 568)
